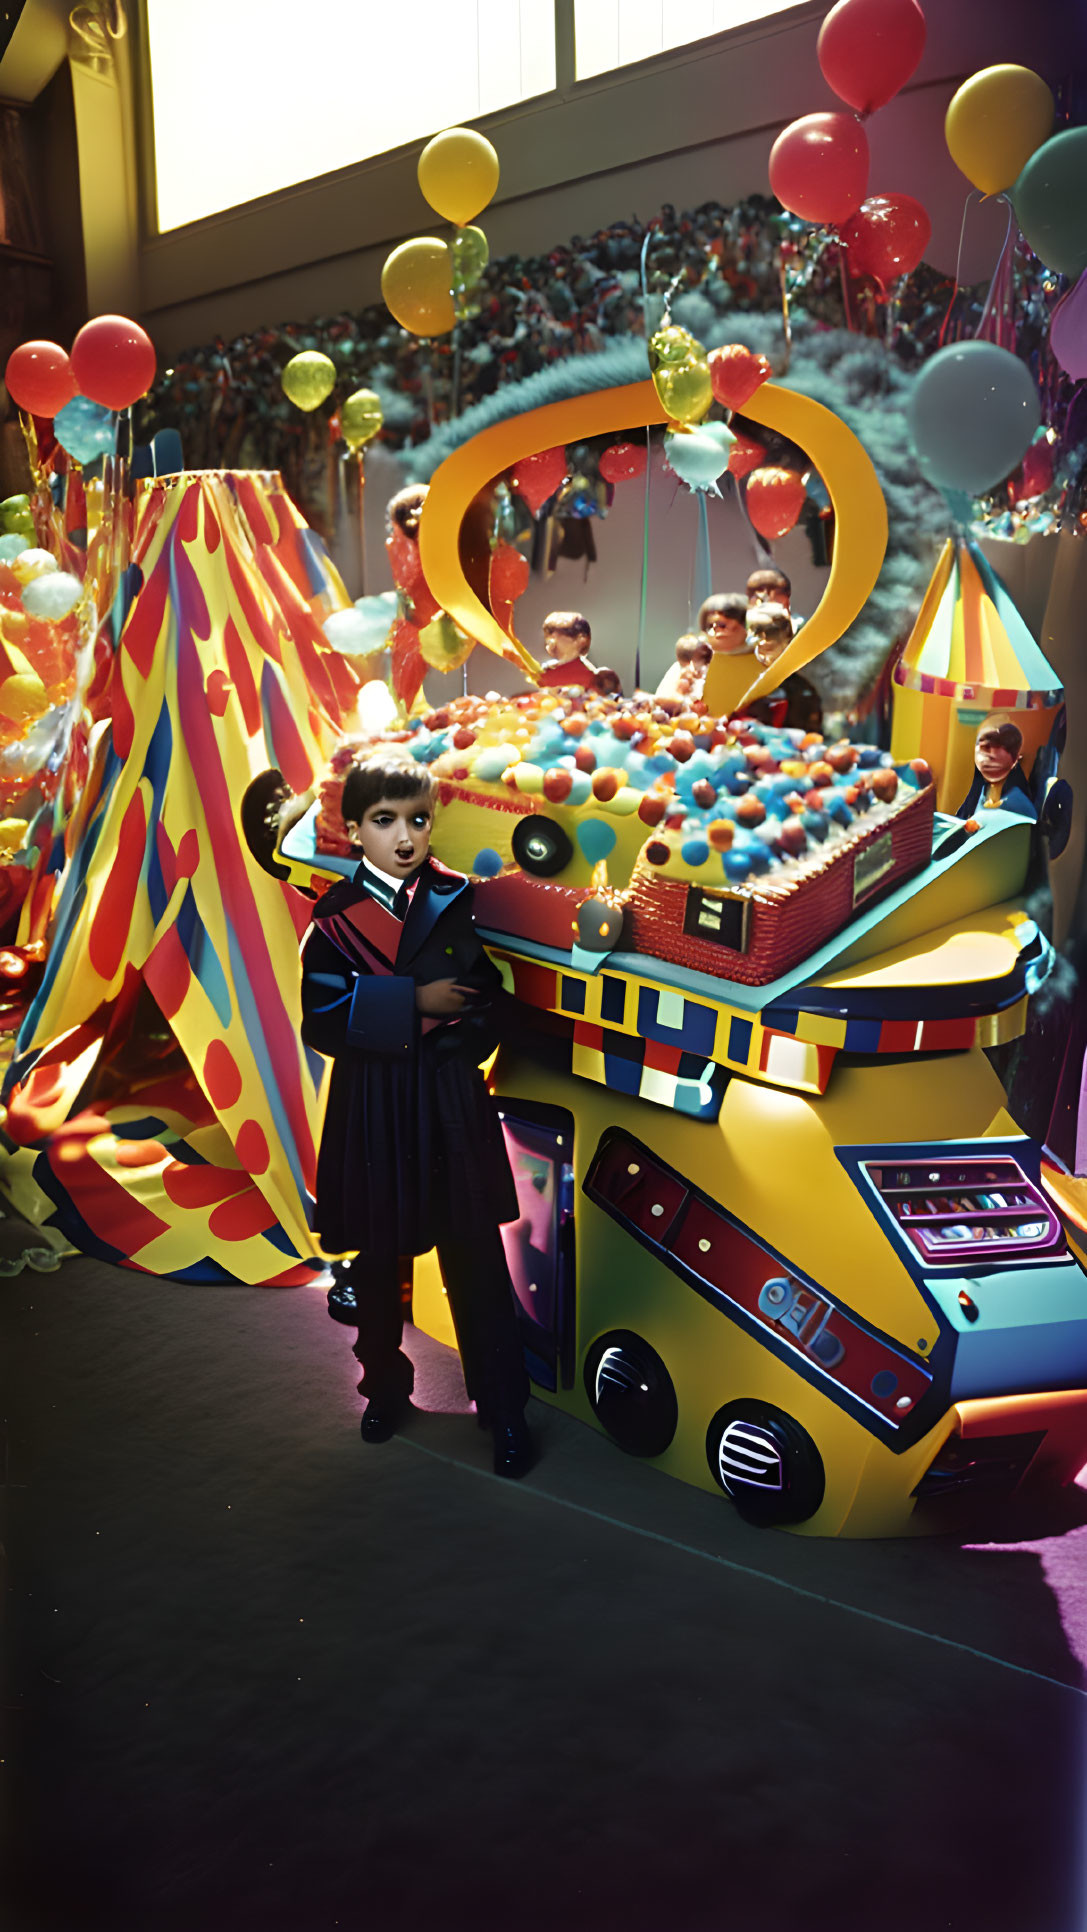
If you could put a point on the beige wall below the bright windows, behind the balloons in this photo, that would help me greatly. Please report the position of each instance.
(690, 128)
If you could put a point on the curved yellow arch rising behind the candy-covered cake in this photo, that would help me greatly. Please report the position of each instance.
(860, 513)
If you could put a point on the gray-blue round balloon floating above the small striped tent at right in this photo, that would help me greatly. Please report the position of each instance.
(972, 416)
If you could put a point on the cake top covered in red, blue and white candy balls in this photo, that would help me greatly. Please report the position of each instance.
(727, 803)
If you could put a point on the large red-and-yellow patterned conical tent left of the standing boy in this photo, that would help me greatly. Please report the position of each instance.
(159, 1089)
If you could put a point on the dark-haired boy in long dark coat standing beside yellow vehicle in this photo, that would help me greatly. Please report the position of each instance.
(399, 992)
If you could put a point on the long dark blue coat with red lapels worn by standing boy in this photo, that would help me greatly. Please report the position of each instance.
(412, 1151)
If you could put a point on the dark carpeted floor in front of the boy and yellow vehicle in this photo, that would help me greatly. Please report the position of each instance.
(260, 1676)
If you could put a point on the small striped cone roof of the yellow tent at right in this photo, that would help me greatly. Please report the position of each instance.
(970, 640)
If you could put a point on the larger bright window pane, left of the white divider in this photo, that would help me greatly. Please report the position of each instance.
(252, 99)
